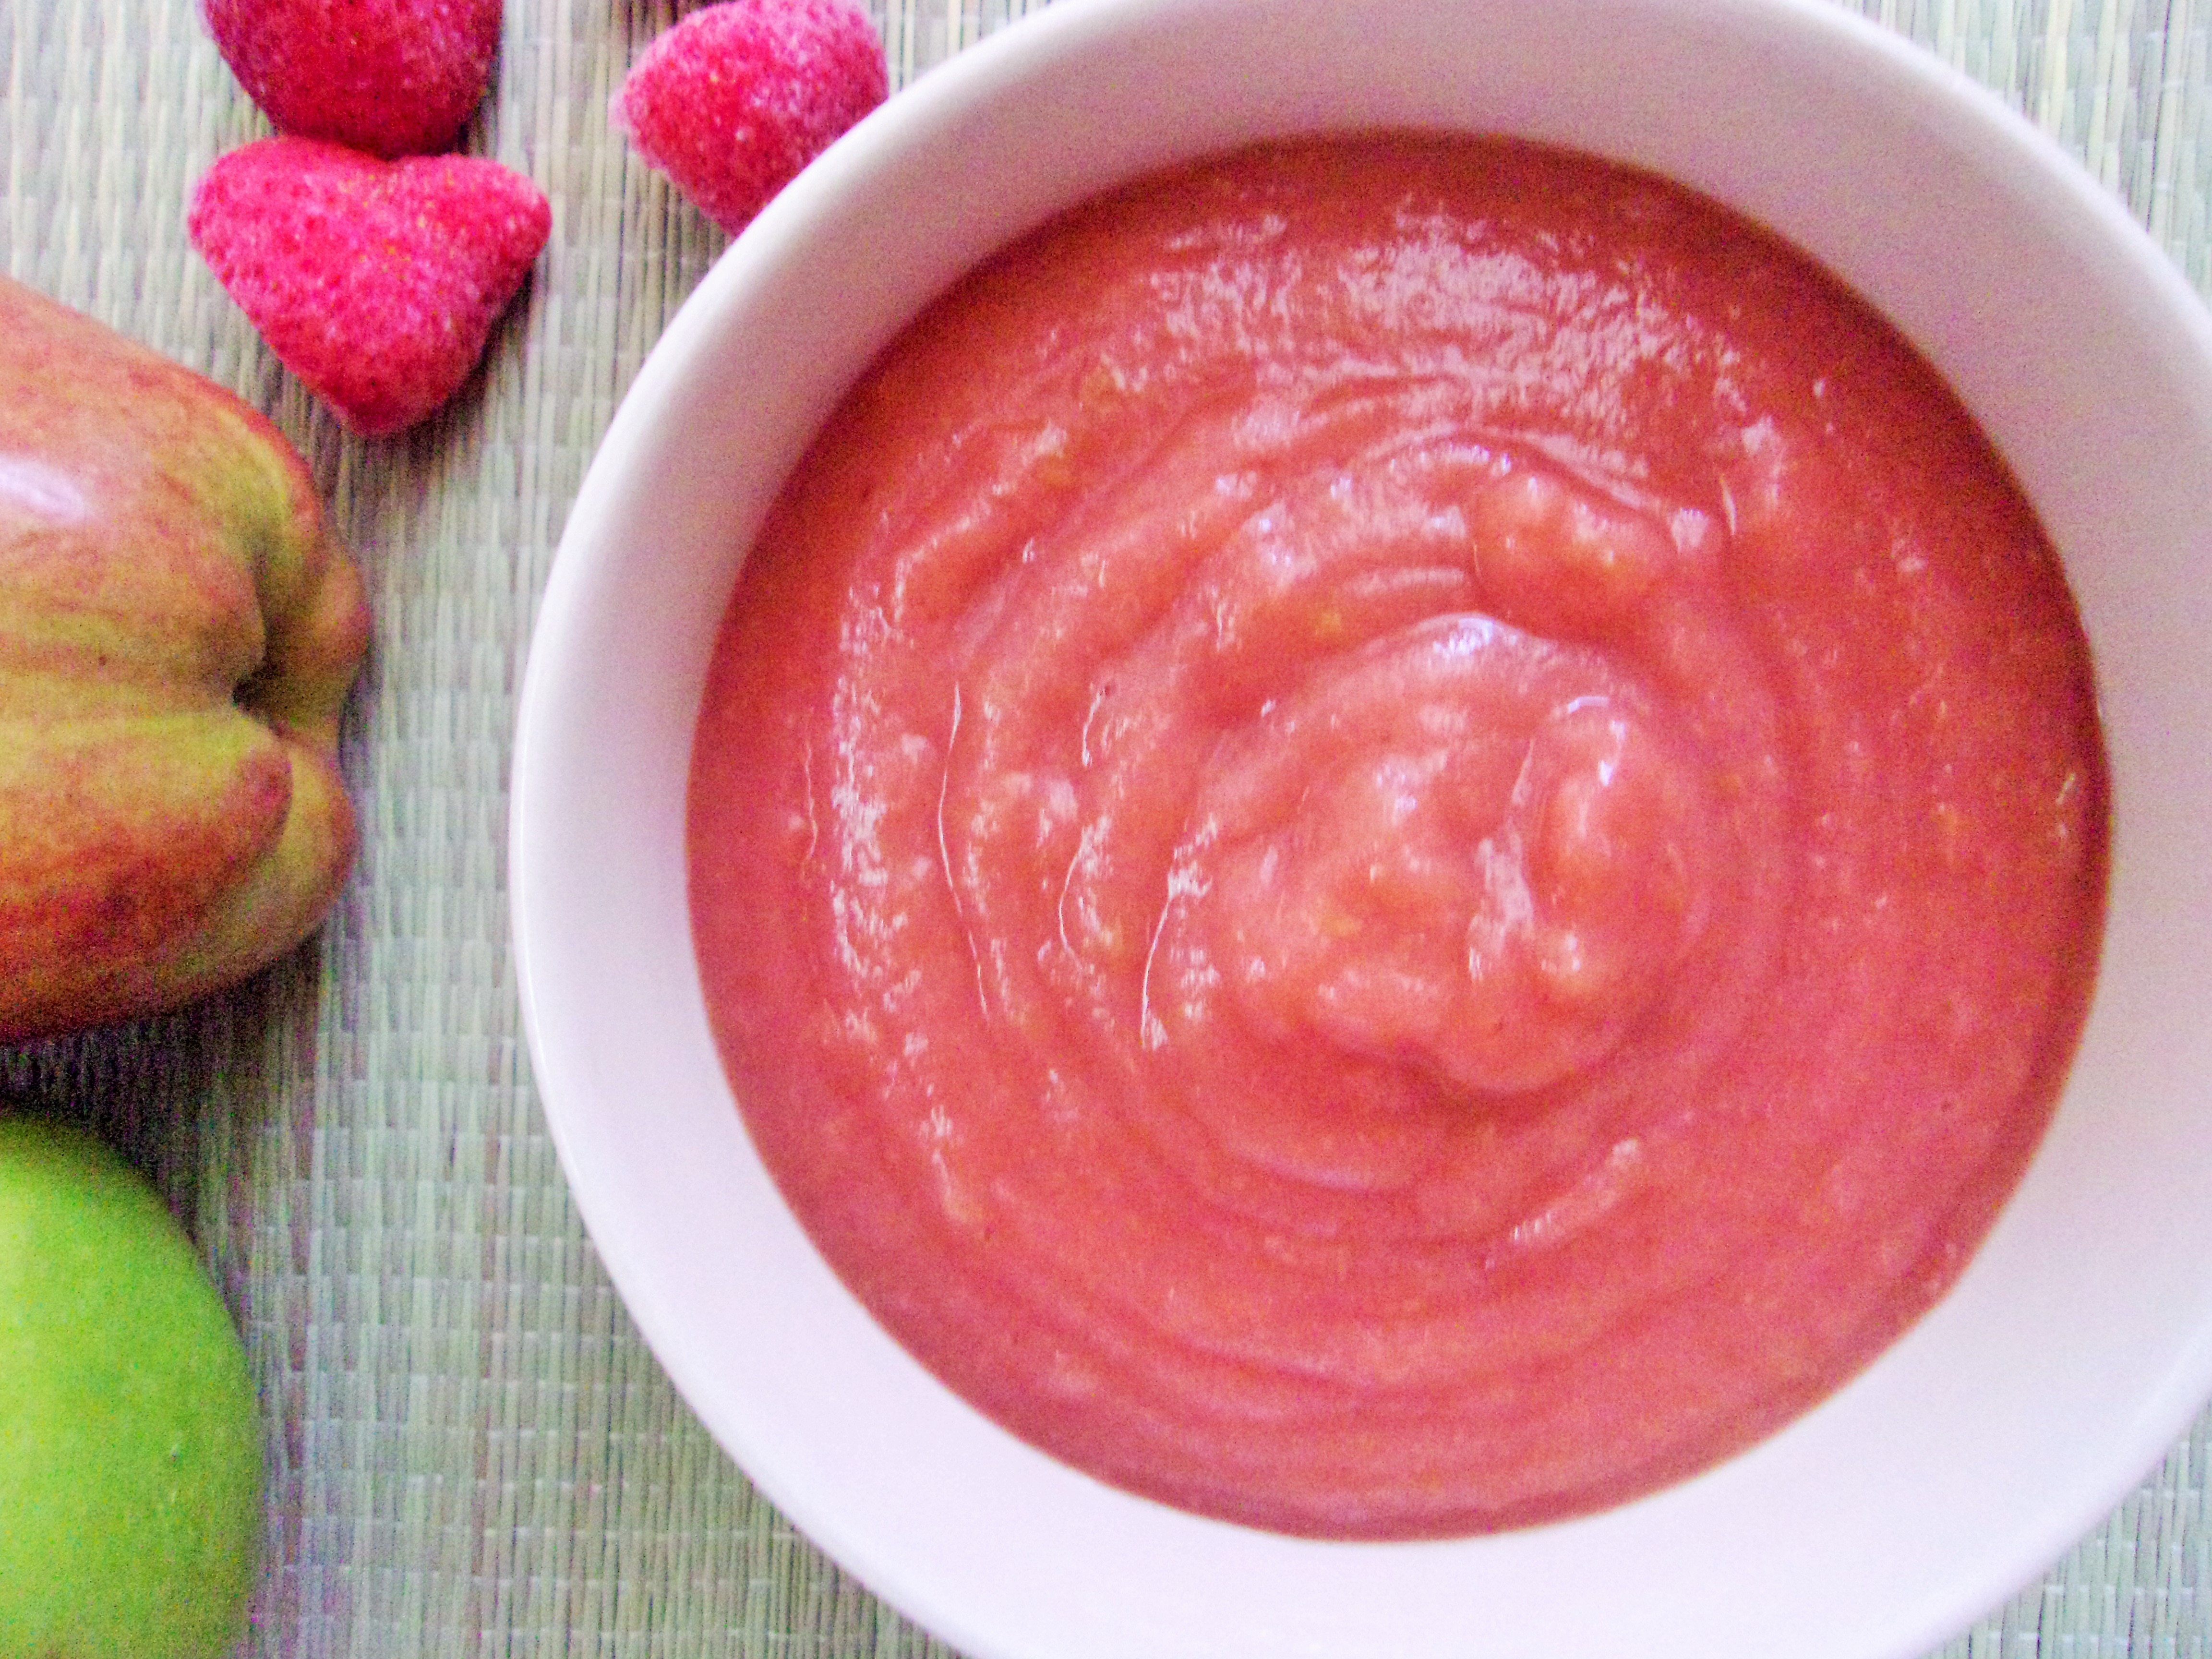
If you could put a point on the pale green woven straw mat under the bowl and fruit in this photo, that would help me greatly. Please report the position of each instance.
(470, 1448)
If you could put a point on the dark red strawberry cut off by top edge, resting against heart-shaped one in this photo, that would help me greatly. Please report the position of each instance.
(386, 76)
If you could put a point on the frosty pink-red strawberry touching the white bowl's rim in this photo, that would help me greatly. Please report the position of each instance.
(738, 98)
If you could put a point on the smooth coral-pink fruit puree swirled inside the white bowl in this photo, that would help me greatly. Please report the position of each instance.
(1399, 837)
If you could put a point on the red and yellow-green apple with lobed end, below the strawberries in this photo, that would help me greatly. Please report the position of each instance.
(178, 636)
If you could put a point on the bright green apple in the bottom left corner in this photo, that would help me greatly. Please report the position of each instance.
(129, 1441)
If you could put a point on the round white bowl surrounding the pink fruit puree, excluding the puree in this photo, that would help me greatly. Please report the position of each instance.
(2012, 1419)
